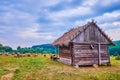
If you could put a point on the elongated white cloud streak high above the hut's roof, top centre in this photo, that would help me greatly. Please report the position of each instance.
(69, 13)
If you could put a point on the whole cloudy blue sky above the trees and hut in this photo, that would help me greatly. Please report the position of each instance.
(31, 22)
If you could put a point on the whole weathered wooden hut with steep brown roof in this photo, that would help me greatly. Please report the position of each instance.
(84, 45)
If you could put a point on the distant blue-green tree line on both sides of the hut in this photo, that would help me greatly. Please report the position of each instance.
(48, 48)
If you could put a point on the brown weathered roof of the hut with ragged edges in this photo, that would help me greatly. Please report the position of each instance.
(67, 37)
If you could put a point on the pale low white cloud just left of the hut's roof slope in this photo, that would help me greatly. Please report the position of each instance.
(34, 33)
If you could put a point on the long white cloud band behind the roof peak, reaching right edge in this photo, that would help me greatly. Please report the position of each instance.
(105, 18)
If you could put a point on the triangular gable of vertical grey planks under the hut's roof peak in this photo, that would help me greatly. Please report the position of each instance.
(91, 34)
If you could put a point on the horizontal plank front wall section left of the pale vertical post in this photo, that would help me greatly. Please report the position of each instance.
(83, 55)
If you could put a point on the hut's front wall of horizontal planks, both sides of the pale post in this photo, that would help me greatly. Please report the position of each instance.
(84, 55)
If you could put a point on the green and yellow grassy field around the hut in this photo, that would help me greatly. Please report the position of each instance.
(42, 68)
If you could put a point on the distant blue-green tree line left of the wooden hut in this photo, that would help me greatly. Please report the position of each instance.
(45, 48)
